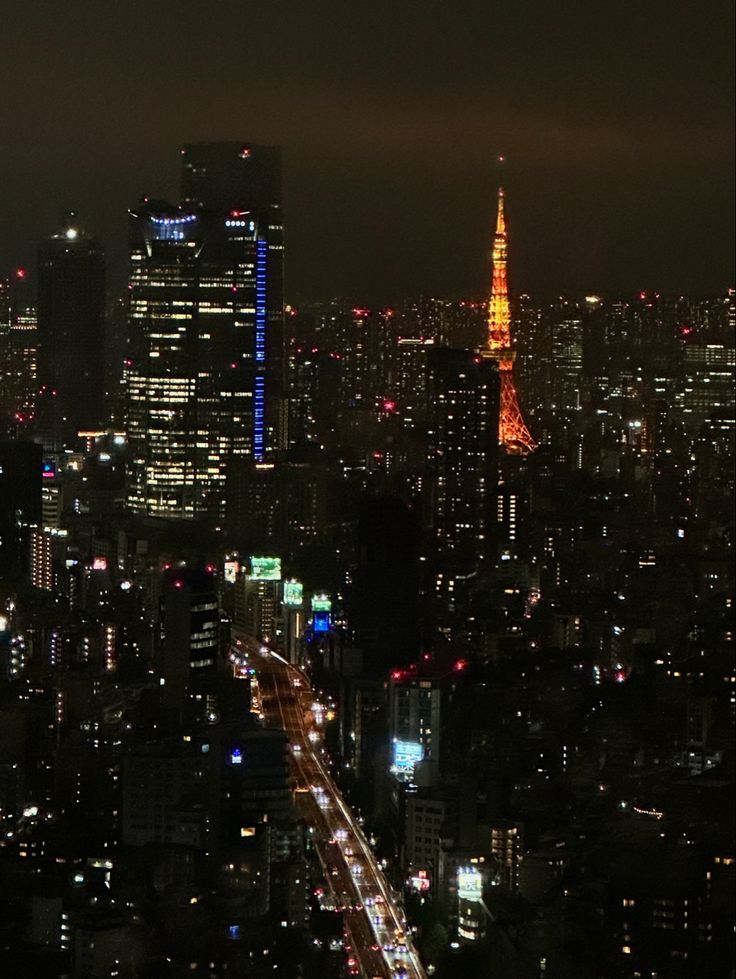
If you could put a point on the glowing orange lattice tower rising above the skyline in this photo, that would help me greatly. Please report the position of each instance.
(512, 431)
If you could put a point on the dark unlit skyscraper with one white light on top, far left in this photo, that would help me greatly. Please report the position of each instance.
(71, 325)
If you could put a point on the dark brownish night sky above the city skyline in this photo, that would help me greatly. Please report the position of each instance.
(615, 118)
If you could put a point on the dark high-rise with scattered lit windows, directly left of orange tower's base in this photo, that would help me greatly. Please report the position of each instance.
(464, 455)
